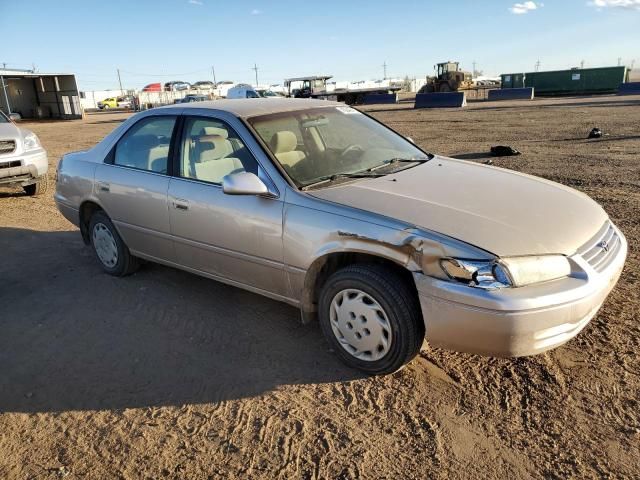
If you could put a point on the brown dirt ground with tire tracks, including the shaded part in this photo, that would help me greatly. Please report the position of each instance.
(165, 374)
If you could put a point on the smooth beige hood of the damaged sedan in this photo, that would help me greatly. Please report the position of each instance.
(501, 211)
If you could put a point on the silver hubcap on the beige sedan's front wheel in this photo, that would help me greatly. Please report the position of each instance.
(360, 325)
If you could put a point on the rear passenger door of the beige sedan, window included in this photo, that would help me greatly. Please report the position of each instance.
(132, 186)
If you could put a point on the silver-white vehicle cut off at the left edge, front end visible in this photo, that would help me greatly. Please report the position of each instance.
(23, 161)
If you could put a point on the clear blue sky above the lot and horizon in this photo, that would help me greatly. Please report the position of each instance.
(166, 40)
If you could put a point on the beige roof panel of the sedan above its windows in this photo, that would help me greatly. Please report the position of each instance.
(259, 106)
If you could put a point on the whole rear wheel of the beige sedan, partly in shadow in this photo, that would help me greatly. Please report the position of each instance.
(110, 250)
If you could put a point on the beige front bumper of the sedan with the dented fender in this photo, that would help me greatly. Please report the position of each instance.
(515, 322)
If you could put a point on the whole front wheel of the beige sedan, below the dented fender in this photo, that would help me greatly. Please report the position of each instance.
(386, 319)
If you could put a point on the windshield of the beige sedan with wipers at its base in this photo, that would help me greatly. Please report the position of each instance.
(319, 143)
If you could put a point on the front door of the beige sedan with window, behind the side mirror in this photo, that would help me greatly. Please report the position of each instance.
(237, 238)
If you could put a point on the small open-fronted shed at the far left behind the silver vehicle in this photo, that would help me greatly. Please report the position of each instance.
(39, 95)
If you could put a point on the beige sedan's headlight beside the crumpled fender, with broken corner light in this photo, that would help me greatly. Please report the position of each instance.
(507, 272)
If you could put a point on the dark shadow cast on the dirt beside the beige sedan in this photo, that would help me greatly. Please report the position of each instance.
(74, 338)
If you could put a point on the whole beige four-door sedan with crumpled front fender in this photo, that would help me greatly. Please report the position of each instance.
(318, 205)
